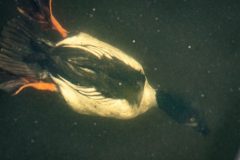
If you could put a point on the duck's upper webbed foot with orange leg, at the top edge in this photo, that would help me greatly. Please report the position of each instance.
(41, 11)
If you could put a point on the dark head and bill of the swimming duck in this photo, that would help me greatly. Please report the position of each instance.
(181, 111)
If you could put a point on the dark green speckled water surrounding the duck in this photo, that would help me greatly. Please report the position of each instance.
(189, 47)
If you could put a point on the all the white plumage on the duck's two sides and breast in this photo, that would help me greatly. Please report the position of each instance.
(87, 100)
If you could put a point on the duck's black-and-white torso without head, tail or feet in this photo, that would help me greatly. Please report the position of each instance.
(110, 83)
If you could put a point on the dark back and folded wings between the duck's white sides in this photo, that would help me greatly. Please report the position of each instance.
(99, 77)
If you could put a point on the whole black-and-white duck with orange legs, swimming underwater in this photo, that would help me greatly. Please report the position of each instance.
(94, 77)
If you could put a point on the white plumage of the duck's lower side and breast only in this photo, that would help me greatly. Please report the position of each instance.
(105, 107)
